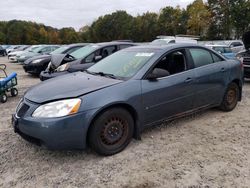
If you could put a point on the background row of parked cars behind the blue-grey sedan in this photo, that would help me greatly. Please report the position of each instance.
(49, 61)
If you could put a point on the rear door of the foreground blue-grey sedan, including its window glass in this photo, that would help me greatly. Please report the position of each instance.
(211, 77)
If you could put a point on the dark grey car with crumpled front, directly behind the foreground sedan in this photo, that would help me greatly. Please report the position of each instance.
(81, 59)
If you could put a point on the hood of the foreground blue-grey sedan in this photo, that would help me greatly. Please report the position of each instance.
(68, 86)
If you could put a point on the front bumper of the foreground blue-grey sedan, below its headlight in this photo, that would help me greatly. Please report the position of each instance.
(67, 132)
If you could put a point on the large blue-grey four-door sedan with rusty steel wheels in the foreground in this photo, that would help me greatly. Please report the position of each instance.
(124, 93)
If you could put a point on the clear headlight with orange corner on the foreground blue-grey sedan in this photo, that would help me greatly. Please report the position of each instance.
(58, 109)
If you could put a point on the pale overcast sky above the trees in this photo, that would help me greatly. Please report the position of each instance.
(77, 13)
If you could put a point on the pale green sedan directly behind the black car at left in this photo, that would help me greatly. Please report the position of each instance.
(43, 49)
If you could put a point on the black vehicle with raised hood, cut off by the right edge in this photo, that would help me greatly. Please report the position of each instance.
(244, 56)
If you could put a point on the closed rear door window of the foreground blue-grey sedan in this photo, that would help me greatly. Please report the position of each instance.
(201, 57)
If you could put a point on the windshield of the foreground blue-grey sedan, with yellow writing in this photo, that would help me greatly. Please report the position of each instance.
(123, 64)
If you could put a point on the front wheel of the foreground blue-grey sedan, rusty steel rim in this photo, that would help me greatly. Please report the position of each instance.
(111, 131)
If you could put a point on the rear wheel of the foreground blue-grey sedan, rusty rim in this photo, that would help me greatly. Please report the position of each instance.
(230, 98)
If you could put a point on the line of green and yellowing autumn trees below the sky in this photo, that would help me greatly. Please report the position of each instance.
(211, 20)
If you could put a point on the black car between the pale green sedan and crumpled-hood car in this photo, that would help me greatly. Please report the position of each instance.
(37, 64)
